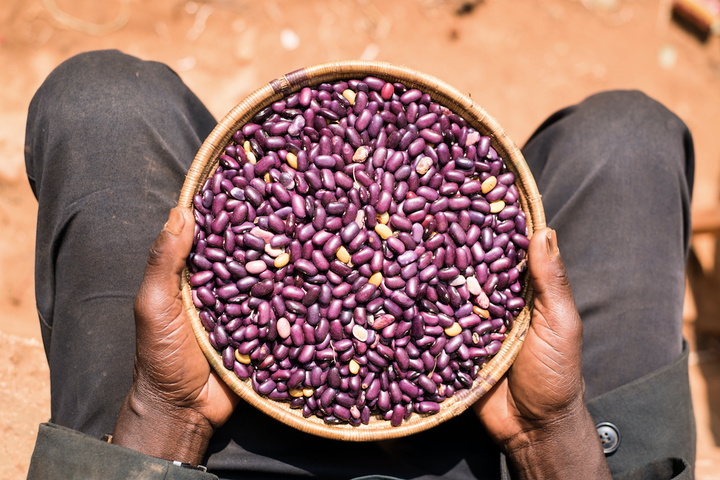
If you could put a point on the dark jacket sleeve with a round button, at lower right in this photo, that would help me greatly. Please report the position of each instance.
(653, 417)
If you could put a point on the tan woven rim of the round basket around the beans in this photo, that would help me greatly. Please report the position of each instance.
(206, 162)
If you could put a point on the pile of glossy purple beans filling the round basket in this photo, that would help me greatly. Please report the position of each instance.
(358, 252)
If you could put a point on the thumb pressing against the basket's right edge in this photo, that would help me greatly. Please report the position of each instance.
(555, 311)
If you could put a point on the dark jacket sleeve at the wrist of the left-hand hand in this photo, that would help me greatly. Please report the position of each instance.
(61, 453)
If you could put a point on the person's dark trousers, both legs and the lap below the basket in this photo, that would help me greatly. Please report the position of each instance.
(109, 140)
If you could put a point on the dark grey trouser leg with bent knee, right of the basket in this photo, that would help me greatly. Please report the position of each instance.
(615, 173)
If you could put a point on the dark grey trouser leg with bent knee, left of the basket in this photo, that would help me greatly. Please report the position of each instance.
(109, 140)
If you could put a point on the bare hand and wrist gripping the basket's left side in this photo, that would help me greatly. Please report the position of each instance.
(176, 400)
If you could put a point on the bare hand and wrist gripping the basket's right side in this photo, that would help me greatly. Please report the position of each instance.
(536, 413)
